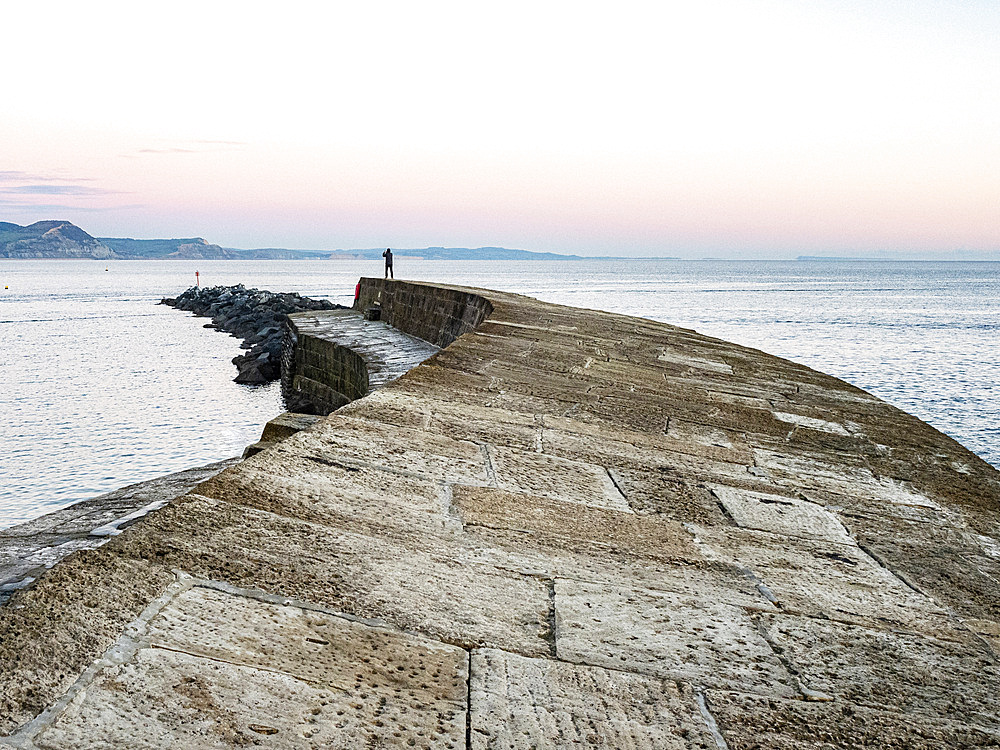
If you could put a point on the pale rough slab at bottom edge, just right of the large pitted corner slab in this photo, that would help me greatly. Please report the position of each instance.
(518, 702)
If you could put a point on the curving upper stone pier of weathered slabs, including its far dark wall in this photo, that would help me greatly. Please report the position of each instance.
(565, 528)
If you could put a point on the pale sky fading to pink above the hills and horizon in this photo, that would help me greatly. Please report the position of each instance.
(704, 128)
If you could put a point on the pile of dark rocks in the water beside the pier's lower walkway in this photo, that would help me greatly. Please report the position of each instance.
(257, 316)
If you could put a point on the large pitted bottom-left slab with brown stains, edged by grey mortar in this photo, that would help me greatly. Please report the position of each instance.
(221, 670)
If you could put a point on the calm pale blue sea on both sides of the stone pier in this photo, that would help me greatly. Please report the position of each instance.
(101, 387)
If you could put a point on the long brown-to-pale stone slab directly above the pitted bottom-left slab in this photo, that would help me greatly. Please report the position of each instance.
(427, 584)
